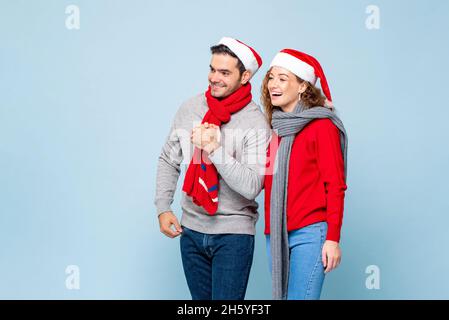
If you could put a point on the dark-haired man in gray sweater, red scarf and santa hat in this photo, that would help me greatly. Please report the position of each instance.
(225, 155)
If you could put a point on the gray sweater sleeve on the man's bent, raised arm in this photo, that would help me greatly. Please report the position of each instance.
(246, 176)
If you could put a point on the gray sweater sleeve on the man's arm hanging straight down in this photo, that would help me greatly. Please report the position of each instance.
(168, 169)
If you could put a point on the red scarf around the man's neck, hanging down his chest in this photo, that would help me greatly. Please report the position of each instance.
(201, 180)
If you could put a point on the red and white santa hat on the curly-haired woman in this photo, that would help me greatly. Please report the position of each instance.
(304, 66)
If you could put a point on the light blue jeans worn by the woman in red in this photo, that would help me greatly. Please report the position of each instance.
(306, 275)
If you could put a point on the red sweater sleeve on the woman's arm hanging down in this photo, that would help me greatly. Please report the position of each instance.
(331, 167)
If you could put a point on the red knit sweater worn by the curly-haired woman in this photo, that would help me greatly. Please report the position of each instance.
(316, 185)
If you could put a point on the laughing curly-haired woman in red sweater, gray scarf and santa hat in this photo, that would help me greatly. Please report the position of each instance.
(305, 179)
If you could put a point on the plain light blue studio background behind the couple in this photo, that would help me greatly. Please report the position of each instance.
(83, 115)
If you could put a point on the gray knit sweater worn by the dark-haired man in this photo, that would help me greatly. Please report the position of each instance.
(240, 162)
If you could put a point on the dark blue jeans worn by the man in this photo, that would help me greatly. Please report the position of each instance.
(216, 266)
